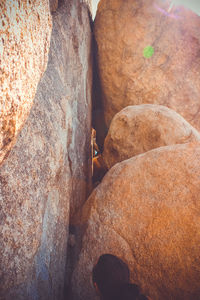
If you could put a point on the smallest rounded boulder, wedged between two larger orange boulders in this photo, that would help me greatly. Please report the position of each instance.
(140, 128)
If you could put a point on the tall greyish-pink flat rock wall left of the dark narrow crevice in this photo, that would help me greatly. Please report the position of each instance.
(49, 166)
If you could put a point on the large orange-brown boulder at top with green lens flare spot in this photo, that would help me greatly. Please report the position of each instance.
(170, 77)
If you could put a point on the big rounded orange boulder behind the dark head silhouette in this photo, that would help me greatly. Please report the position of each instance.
(146, 211)
